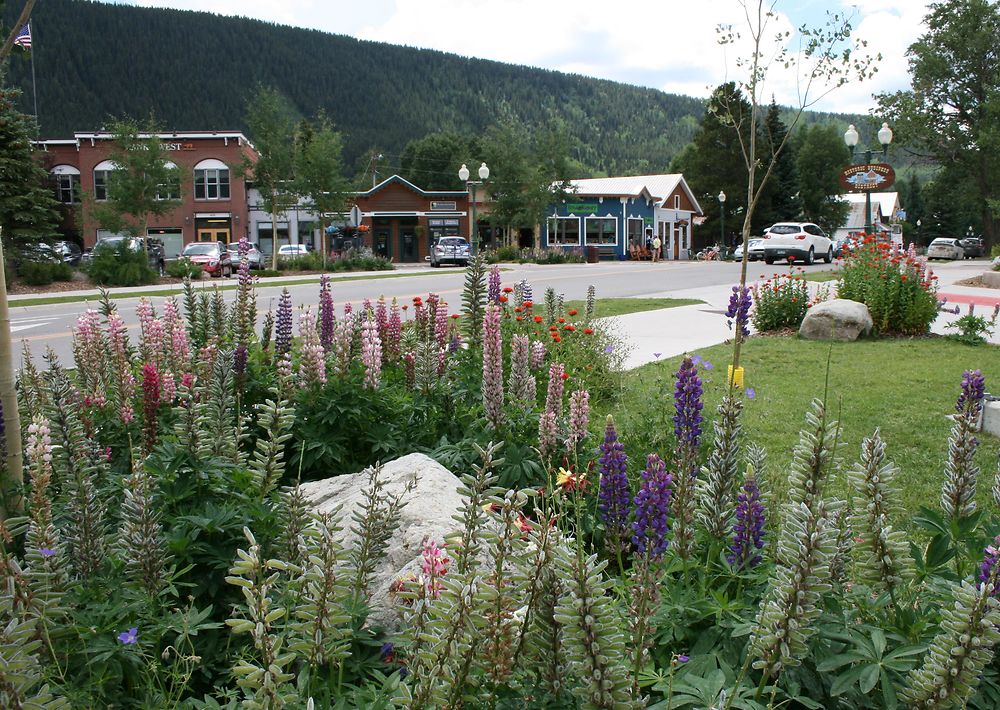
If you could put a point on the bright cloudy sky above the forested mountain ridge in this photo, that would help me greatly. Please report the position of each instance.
(672, 46)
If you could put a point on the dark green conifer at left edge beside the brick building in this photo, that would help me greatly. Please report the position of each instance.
(28, 208)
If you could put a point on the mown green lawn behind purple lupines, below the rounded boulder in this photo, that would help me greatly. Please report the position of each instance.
(905, 386)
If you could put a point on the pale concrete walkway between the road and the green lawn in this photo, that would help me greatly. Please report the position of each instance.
(669, 332)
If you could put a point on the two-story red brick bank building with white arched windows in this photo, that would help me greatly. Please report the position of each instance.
(213, 194)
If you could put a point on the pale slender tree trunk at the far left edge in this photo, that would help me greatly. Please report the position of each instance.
(12, 481)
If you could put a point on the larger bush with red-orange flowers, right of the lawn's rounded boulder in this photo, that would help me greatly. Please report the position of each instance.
(898, 287)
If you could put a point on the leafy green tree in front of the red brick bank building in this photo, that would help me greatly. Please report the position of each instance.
(143, 184)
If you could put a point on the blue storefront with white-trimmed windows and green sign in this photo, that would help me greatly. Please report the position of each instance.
(610, 222)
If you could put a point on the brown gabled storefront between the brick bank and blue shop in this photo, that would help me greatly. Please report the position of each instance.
(403, 220)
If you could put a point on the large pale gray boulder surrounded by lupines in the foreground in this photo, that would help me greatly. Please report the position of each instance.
(428, 514)
